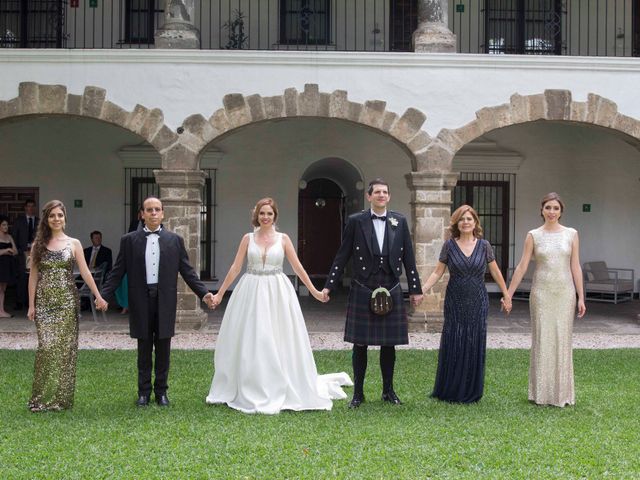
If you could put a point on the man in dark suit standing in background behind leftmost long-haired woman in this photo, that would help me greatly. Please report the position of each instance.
(24, 231)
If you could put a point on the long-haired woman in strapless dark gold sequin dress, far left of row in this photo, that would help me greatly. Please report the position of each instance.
(54, 306)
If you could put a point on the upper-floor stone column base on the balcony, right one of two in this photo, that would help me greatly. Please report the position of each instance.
(433, 34)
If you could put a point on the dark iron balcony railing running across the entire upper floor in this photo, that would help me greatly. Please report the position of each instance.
(535, 27)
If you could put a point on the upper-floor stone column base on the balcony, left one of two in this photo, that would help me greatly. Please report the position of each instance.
(178, 30)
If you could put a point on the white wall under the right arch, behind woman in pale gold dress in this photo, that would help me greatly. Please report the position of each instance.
(584, 165)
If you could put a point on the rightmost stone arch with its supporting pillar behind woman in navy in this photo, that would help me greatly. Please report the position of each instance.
(435, 179)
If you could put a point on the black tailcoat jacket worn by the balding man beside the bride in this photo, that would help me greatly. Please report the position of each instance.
(173, 260)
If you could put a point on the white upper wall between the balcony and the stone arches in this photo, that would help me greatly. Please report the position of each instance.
(447, 88)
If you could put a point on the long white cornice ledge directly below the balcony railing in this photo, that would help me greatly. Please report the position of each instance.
(335, 59)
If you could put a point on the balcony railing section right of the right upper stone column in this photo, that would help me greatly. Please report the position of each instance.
(547, 27)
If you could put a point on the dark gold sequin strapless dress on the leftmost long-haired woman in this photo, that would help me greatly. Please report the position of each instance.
(57, 314)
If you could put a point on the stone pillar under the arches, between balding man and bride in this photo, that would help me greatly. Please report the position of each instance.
(181, 192)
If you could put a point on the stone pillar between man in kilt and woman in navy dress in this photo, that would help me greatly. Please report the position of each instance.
(431, 210)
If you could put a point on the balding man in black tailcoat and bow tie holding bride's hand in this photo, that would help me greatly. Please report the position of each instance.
(152, 257)
